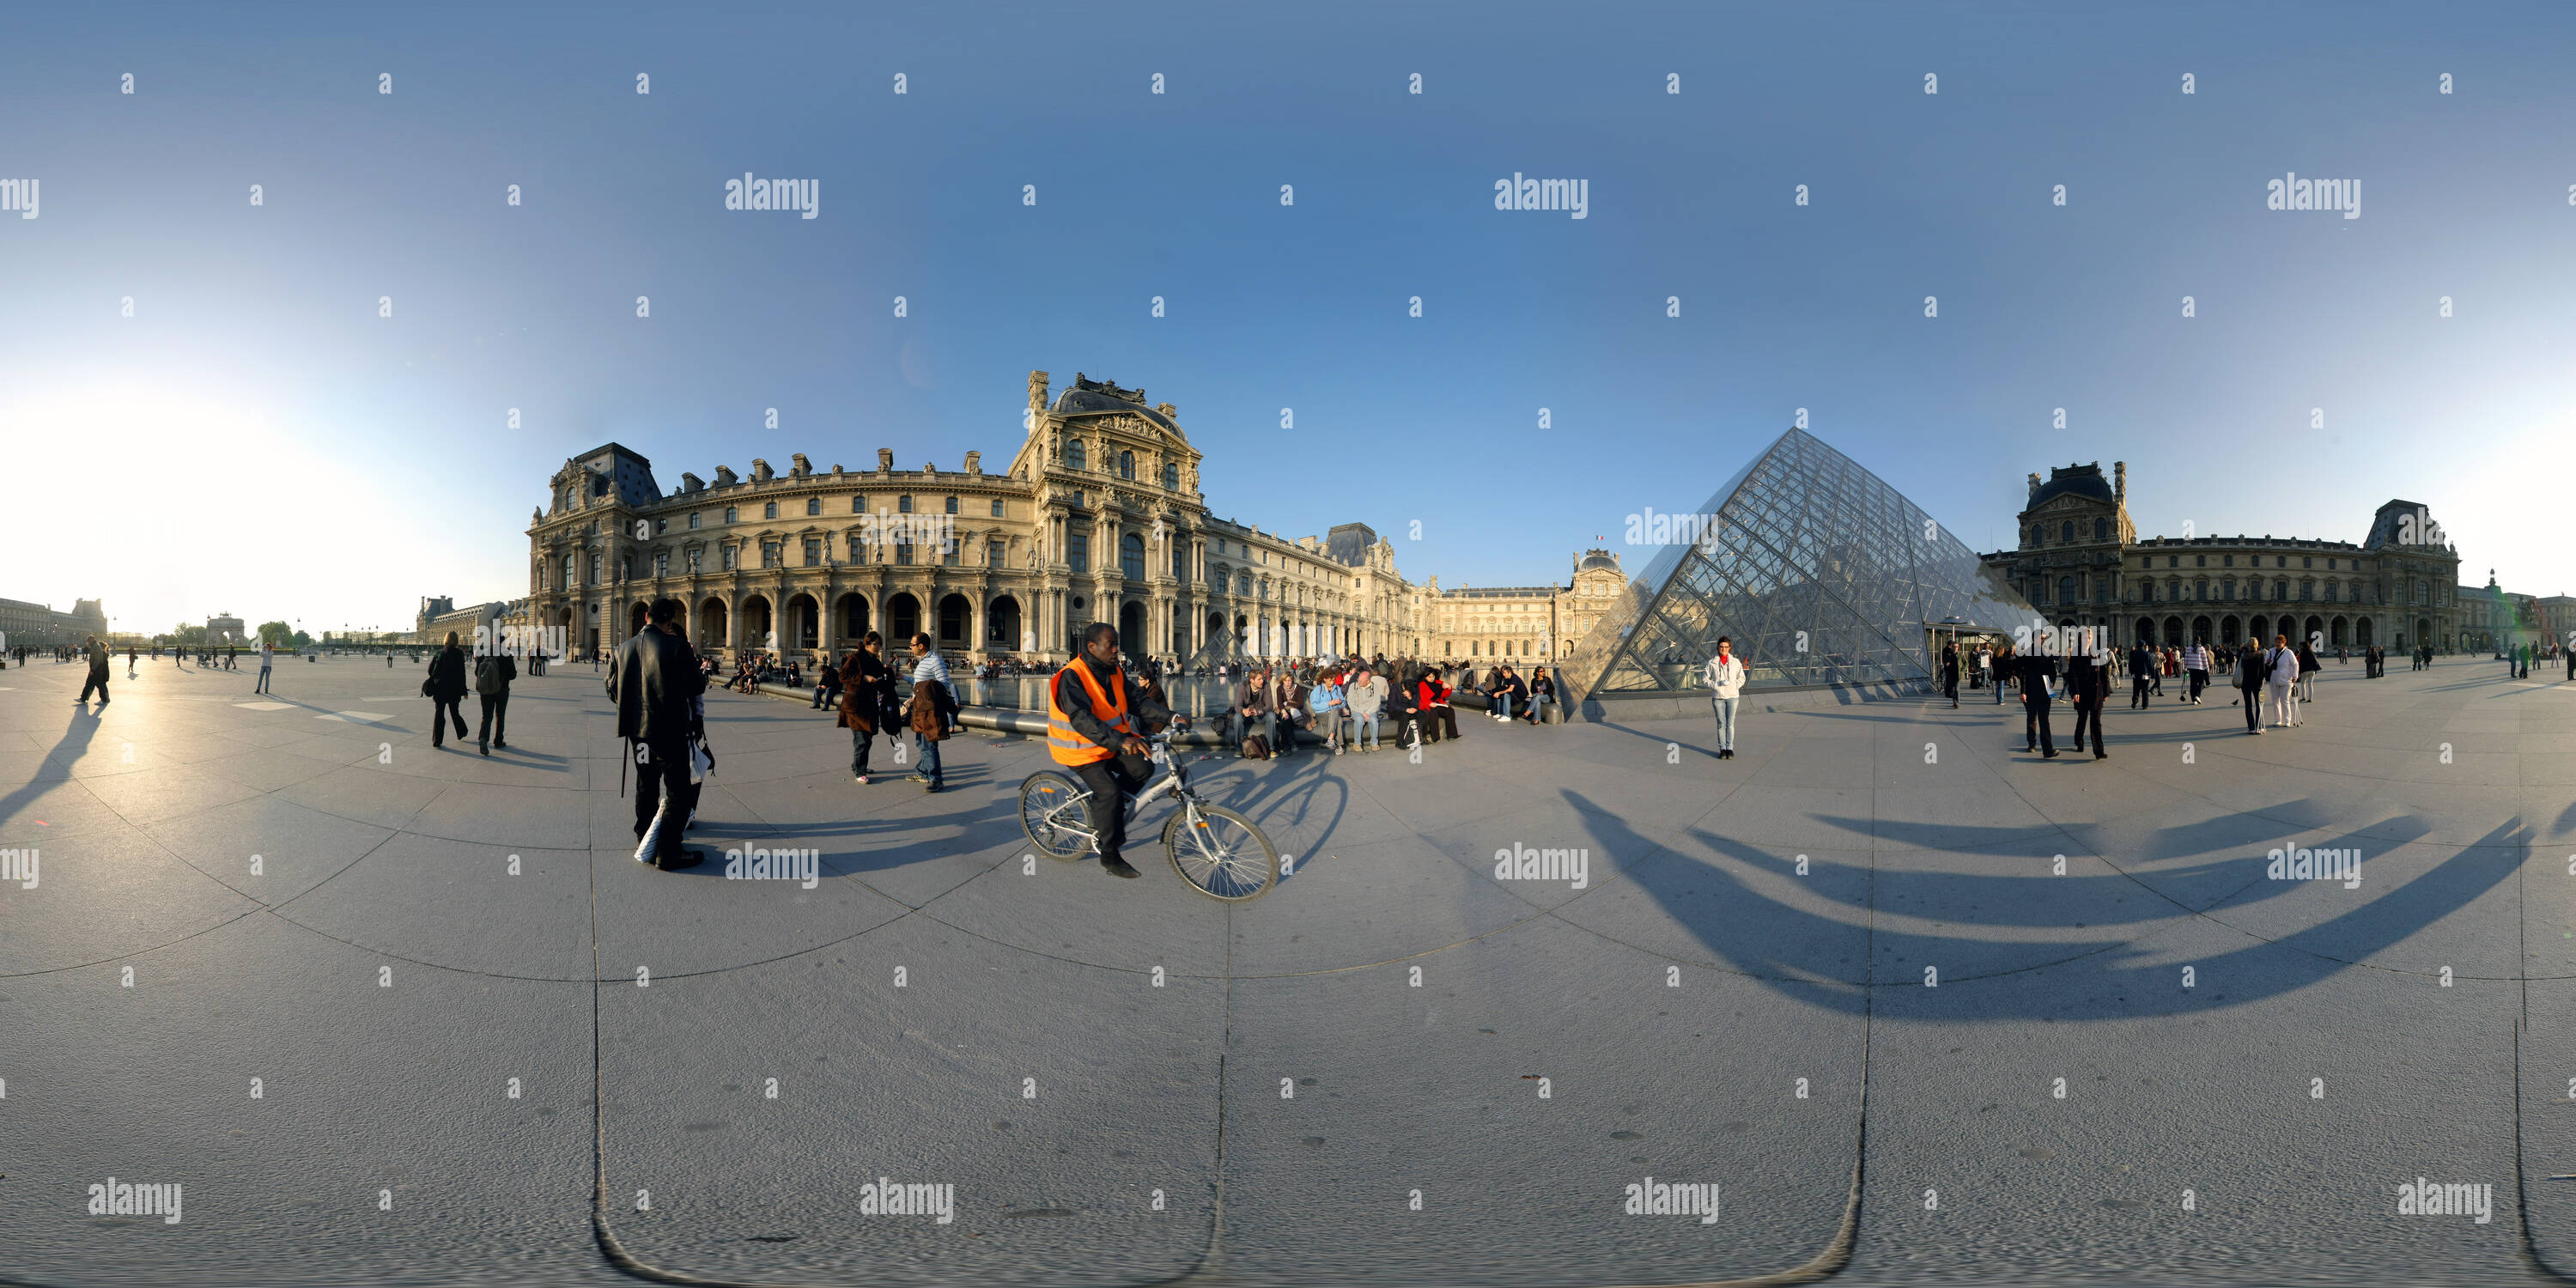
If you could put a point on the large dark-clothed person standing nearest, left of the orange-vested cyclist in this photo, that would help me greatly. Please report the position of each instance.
(656, 684)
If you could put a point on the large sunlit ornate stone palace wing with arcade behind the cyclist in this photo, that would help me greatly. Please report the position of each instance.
(1099, 516)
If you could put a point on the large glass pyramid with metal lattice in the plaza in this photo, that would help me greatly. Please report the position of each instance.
(1815, 568)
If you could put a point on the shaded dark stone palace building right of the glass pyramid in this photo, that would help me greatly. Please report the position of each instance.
(2083, 563)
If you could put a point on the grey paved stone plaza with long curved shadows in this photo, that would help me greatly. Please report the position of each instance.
(429, 929)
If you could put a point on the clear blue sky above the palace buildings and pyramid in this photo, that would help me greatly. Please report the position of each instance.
(256, 439)
